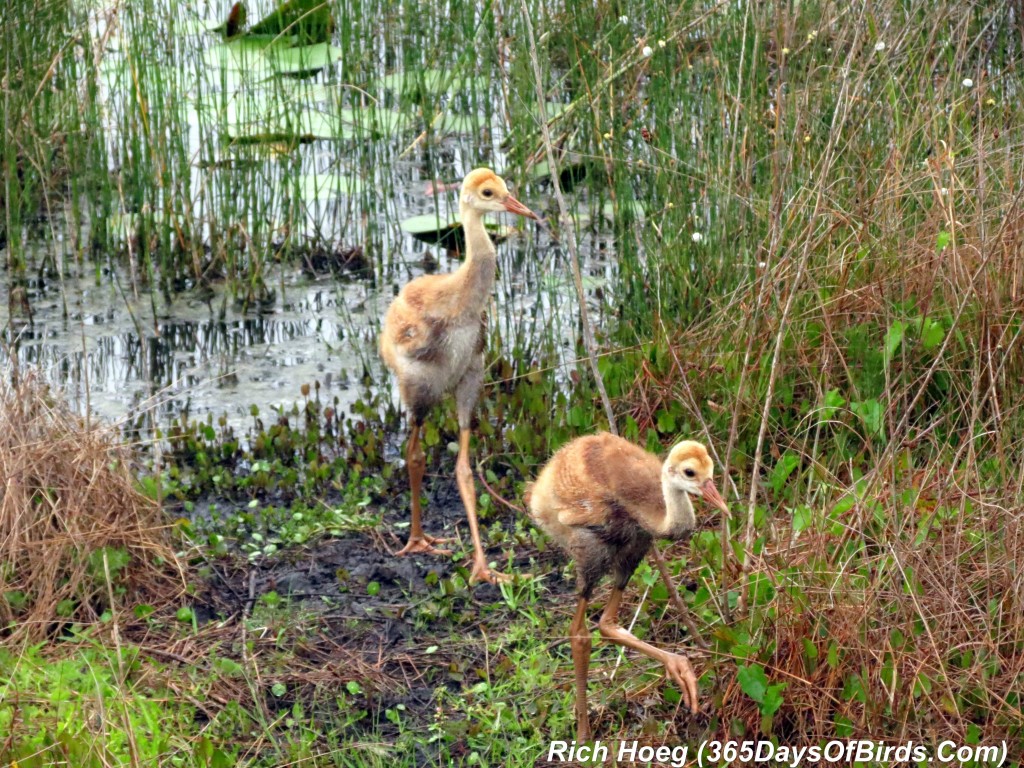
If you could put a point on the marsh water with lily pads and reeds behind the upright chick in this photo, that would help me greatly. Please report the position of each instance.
(100, 328)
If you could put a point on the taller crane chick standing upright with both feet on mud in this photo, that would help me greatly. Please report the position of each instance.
(434, 342)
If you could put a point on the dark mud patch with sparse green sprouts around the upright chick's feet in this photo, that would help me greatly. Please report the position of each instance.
(406, 625)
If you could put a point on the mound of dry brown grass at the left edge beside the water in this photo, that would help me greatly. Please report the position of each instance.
(70, 511)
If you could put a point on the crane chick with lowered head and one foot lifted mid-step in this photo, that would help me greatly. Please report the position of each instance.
(605, 501)
